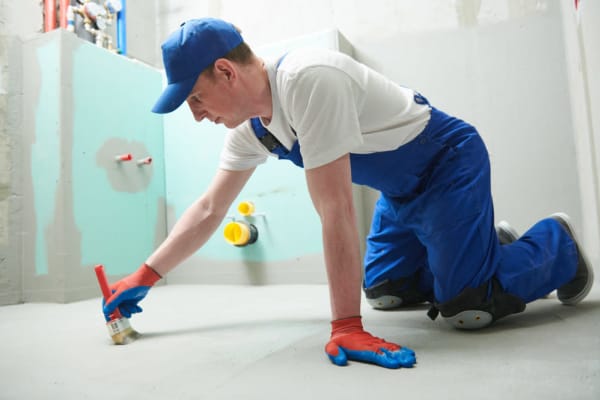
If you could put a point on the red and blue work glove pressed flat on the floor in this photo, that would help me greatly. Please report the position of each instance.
(349, 341)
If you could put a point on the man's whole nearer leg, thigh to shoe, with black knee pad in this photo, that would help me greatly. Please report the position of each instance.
(477, 280)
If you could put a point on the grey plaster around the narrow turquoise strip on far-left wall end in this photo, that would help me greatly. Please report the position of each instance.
(62, 237)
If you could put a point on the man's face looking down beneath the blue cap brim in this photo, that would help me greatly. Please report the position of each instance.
(213, 98)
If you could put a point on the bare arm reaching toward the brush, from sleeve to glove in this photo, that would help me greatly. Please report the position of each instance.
(199, 221)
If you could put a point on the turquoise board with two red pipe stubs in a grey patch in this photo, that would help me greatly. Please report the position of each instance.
(117, 206)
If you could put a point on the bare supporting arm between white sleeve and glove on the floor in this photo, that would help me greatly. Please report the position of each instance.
(330, 188)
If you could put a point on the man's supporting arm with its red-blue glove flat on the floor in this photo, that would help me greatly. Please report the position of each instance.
(330, 188)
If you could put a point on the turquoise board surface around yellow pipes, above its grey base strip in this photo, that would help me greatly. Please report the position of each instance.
(290, 227)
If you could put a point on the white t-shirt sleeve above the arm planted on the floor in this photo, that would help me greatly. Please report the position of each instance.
(323, 112)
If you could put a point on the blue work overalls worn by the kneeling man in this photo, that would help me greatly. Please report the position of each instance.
(435, 219)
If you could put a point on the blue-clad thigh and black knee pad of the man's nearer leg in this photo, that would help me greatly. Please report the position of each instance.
(456, 225)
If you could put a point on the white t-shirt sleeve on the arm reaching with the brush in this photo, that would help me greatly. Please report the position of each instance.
(242, 150)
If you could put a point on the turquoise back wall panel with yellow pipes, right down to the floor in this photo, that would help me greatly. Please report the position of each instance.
(289, 246)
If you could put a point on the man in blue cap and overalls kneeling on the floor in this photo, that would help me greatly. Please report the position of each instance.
(432, 237)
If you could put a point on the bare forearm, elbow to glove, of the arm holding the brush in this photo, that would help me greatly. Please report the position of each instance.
(190, 232)
